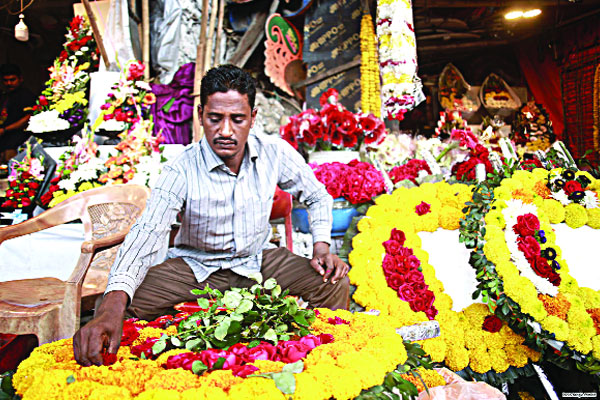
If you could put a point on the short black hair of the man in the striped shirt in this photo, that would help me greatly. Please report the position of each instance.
(225, 78)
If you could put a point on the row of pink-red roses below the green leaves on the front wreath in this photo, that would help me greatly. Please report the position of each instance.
(239, 355)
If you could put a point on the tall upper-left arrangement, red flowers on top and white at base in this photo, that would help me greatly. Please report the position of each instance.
(63, 103)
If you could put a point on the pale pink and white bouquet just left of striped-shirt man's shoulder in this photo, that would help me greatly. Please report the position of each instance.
(138, 159)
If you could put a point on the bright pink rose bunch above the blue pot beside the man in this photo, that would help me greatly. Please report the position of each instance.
(357, 182)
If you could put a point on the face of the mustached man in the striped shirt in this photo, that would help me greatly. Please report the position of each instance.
(227, 119)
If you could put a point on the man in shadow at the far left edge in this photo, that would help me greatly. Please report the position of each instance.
(13, 113)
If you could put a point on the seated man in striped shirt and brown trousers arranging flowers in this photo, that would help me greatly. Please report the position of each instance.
(224, 188)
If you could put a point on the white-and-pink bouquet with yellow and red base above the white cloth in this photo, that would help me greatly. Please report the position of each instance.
(79, 171)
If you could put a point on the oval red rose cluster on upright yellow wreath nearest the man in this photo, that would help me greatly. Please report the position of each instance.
(402, 270)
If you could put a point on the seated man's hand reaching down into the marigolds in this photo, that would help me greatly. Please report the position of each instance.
(104, 331)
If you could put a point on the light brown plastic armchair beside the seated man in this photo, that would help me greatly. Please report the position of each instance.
(49, 307)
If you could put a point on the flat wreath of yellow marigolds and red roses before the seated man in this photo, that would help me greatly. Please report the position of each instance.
(364, 348)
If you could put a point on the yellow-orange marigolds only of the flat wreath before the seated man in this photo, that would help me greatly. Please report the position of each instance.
(363, 352)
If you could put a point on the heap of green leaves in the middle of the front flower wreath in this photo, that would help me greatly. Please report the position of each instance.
(262, 312)
